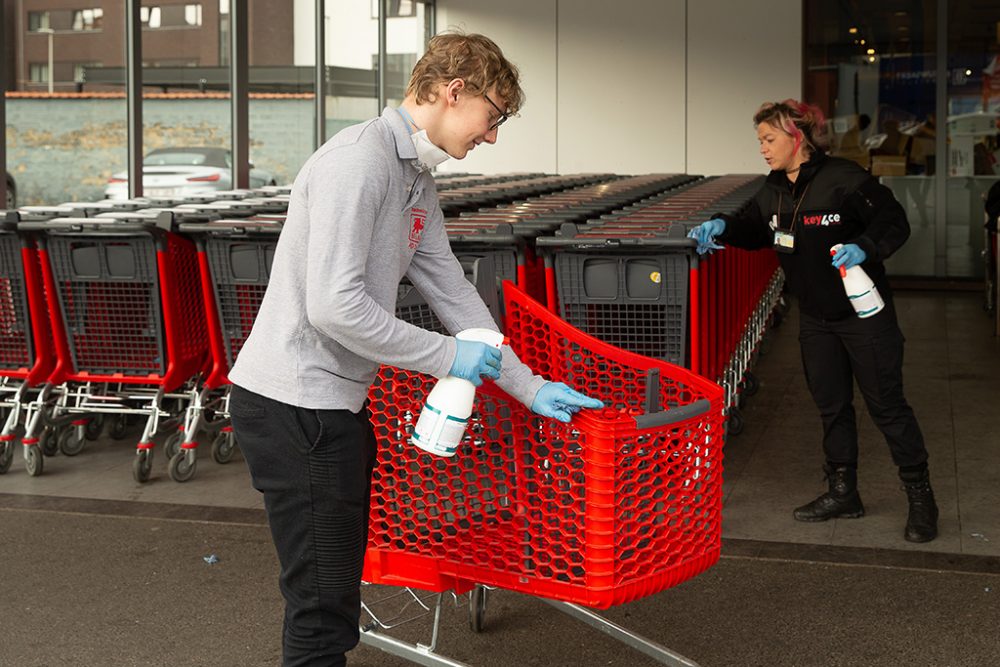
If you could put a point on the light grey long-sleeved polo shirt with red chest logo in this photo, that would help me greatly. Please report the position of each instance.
(361, 216)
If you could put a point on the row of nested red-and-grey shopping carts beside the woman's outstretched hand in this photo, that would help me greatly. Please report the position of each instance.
(633, 278)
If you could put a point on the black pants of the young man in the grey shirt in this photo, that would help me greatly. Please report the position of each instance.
(314, 468)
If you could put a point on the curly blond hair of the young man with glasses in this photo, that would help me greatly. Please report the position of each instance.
(475, 59)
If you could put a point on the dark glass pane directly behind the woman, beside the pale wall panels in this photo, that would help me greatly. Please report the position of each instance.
(871, 68)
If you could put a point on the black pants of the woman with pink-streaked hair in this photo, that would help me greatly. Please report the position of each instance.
(834, 354)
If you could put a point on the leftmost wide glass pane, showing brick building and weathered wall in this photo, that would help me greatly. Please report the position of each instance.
(64, 147)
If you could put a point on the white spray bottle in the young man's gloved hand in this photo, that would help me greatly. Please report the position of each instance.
(442, 422)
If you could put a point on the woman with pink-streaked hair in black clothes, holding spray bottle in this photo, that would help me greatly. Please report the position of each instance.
(809, 203)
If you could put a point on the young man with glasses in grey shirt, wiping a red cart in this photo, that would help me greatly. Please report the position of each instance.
(364, 212)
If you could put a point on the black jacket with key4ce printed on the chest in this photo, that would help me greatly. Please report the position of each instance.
(842, 203)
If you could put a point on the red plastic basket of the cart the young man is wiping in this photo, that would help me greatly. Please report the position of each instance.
(619, 504)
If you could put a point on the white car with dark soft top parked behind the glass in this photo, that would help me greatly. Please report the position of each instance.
(183, 171)
